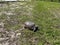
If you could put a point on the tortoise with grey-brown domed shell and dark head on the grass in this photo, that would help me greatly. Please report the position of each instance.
(31, 26)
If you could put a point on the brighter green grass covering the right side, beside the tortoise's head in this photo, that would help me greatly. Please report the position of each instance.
(48, 22)
